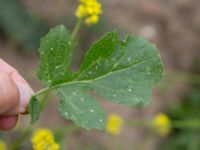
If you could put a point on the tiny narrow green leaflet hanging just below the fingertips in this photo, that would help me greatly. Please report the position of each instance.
(34, 109)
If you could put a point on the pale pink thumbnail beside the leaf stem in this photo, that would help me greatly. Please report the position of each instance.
(25, 93)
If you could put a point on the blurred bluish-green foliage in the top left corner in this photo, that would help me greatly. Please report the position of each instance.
(18, 24)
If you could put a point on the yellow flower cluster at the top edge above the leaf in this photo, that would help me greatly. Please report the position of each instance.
(89, 10)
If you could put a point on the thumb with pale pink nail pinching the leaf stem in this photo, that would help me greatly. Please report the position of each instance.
(14, 96)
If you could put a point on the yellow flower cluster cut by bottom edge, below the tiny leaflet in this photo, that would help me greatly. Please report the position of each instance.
(43, 139)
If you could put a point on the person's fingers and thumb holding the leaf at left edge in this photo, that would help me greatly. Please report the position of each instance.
(14, 96)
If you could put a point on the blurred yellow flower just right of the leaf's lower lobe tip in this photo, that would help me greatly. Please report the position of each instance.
(114, 124)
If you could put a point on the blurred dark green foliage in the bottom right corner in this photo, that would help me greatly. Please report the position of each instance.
(186, 134)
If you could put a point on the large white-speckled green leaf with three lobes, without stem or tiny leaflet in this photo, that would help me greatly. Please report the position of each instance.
(120, 71)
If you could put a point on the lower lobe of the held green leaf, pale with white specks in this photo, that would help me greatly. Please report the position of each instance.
(77, 105)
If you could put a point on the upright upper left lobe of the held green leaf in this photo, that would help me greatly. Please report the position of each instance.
(55, 57)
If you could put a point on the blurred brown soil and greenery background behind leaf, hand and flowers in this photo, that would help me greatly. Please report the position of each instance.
(172, 25)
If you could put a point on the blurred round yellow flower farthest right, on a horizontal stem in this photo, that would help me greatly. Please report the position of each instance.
(162, 124)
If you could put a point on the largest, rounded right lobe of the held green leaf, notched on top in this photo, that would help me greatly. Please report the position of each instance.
(122, 72)
